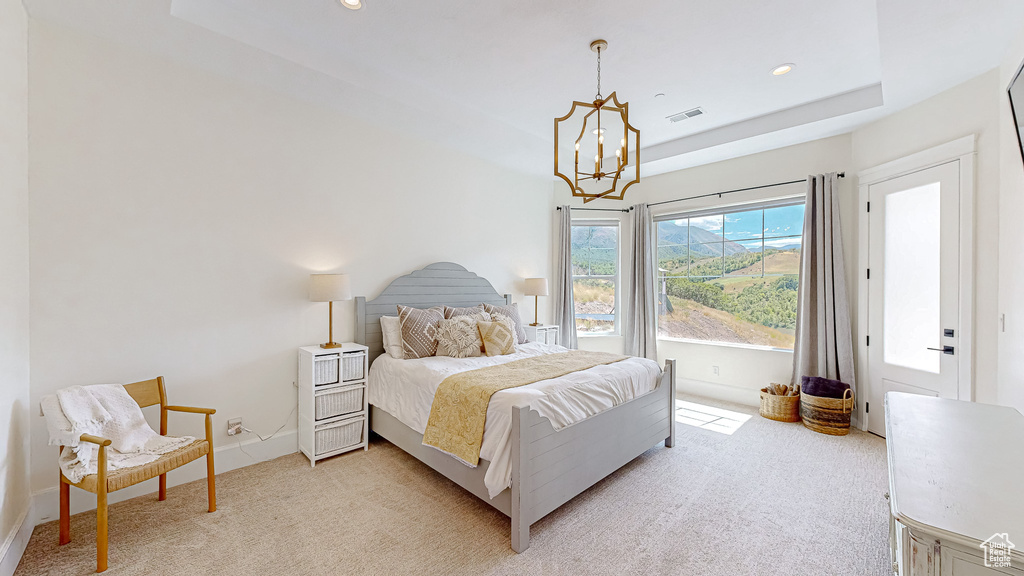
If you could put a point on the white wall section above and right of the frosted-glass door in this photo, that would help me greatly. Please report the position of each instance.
(968, 109)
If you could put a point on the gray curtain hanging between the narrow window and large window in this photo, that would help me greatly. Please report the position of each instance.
(642, 309)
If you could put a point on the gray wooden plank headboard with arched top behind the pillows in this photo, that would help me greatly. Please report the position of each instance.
(438, 284)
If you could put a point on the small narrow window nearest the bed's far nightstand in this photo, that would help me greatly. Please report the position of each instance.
(595, 271)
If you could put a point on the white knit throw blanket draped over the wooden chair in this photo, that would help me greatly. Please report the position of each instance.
(107, 412)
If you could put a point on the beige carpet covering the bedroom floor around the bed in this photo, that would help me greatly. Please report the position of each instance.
(773, 499)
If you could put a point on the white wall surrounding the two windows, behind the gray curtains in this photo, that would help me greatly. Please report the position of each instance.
(743, 371)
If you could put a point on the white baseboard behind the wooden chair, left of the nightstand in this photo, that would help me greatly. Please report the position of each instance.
(47, 504)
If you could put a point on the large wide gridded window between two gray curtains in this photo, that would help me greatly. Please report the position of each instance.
(731, 276)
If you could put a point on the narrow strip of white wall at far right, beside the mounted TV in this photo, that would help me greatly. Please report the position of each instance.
(1011, 361)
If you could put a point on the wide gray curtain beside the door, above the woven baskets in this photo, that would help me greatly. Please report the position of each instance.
(825, 345)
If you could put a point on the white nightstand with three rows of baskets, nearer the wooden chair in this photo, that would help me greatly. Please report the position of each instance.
(333, 412)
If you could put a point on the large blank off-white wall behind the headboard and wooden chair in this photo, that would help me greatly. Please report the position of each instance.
(177, 216)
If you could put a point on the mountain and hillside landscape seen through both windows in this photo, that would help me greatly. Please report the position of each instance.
(726, 278)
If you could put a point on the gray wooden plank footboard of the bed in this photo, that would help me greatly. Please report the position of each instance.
(551, 468)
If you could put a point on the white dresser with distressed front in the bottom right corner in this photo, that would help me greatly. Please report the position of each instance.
(956, 487)
